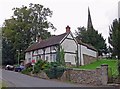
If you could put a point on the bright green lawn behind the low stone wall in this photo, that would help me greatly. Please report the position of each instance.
(112, 65)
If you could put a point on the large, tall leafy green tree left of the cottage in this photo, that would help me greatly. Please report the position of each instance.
(25, 26)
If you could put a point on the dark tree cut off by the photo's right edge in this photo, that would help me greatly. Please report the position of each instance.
(114, 40)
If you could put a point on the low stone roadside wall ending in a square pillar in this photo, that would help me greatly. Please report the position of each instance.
(98, 76)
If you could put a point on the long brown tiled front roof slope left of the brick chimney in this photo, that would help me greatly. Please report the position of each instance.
(45, 43)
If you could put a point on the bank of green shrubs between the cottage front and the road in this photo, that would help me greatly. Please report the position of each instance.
(53, 69)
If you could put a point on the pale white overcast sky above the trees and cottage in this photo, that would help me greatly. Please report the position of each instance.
(70, 12)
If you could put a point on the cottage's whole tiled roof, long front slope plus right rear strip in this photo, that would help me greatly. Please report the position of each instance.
(54, 41)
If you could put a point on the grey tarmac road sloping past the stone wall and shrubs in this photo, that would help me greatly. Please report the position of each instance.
(15, 79)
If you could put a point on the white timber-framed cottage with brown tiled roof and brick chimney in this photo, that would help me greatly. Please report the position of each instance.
(47, 49)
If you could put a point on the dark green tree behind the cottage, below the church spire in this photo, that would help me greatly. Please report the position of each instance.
(92, 37)
